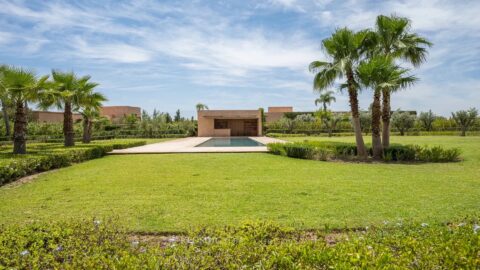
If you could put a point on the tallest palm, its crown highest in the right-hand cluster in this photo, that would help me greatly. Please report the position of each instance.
(392, 38)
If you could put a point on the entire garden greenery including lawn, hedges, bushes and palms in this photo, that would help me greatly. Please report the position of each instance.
(397, 202)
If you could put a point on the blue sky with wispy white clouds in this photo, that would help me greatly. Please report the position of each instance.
(233, 54)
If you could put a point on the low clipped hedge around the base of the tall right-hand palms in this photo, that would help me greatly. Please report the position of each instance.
(339, 150)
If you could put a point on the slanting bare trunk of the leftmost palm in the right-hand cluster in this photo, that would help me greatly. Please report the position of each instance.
(353, 98)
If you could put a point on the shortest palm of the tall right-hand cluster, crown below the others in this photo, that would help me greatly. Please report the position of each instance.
(381, 74)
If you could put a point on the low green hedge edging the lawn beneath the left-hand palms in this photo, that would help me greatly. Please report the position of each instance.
(16, 166)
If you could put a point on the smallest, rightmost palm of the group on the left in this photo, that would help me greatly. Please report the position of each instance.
(90, 104)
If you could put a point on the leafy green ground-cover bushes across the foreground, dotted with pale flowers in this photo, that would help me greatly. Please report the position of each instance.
(94, 244)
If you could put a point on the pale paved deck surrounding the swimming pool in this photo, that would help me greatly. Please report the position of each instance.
(187, 145)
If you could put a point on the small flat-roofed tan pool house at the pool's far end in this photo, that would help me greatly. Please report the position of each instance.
(227, 123)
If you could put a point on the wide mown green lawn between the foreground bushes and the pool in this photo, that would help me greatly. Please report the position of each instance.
(175, 191)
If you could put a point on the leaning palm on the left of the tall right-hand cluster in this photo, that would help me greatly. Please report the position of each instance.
(345, 48)
